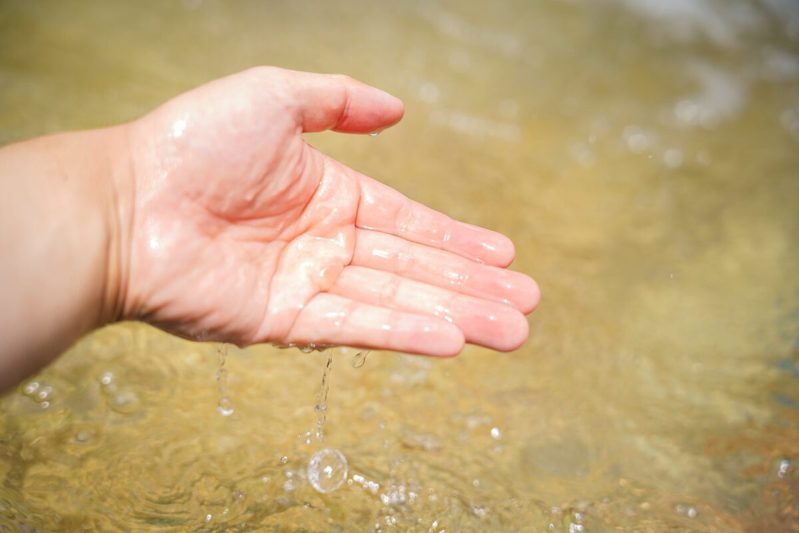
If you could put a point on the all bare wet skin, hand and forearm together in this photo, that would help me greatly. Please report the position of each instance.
(212, 218)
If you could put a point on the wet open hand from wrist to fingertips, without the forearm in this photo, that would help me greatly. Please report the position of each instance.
(240, 231)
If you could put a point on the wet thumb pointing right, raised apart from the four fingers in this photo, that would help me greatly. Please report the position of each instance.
(340, 103)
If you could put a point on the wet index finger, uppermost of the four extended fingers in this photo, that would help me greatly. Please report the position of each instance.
(389, 211)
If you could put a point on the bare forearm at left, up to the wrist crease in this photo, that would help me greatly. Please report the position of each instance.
(60, 238)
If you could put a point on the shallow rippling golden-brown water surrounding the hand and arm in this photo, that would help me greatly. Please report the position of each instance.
(643, 155)
